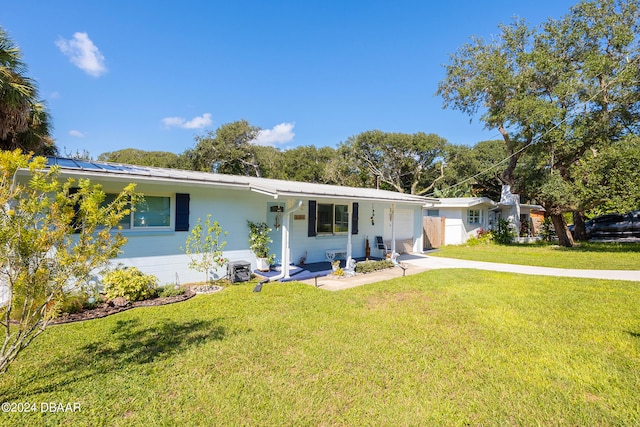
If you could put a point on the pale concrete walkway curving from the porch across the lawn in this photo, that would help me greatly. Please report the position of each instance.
(415, 263)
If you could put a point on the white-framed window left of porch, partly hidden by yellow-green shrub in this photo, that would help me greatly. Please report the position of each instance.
(153, 212)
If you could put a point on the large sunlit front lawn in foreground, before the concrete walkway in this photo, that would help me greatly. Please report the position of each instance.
(445, 347)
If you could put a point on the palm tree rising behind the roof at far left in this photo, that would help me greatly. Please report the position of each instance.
(24, 121)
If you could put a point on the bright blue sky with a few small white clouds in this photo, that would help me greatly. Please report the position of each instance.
(154, 74)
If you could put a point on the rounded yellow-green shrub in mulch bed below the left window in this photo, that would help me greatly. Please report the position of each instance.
(130, 283)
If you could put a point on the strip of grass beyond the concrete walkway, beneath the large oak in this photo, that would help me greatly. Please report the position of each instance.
(596, 256)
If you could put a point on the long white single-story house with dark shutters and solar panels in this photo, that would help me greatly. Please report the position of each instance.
(307, 220)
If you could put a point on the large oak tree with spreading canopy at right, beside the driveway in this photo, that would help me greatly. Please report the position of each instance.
(555, 93)
